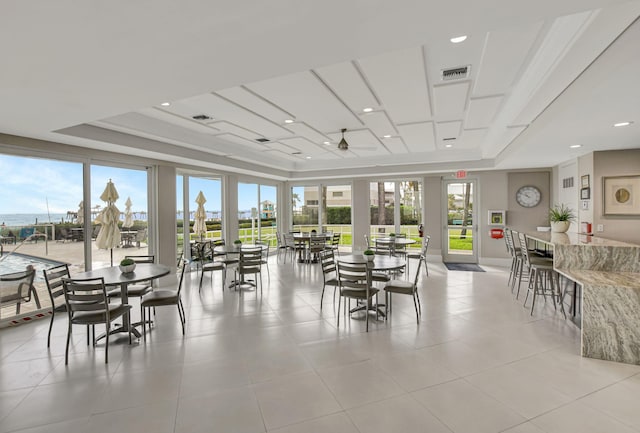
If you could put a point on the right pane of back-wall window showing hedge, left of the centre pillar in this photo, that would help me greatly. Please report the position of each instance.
(336, 212)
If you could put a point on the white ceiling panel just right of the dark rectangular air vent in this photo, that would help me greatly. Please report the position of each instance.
(504, 53)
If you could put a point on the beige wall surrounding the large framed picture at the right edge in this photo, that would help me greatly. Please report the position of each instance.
(614, 163)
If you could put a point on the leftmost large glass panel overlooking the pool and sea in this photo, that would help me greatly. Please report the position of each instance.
(41, 224)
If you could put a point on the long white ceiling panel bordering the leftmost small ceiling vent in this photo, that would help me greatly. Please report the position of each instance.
(222, 109)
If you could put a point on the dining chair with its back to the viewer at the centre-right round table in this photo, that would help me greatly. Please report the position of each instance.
(354, 282)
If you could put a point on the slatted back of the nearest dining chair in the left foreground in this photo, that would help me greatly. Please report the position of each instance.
(85, 295)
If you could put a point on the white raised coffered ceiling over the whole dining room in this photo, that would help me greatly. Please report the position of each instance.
(521, 62)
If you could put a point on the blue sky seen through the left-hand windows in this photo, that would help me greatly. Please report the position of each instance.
(27, 184)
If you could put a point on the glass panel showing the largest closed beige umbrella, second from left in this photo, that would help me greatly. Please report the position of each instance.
(128, 199)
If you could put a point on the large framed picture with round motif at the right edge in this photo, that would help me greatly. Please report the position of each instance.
(621, 195)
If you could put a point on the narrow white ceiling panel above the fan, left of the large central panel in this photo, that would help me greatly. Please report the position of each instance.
(345, 80)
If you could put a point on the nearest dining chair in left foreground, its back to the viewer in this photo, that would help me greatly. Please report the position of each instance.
(87, 304)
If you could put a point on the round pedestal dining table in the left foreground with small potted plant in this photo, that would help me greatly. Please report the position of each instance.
(113, 276)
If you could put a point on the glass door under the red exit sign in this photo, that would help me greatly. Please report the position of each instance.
(460, 227)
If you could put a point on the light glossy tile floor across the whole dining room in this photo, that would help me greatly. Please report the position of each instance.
(477, 362)
